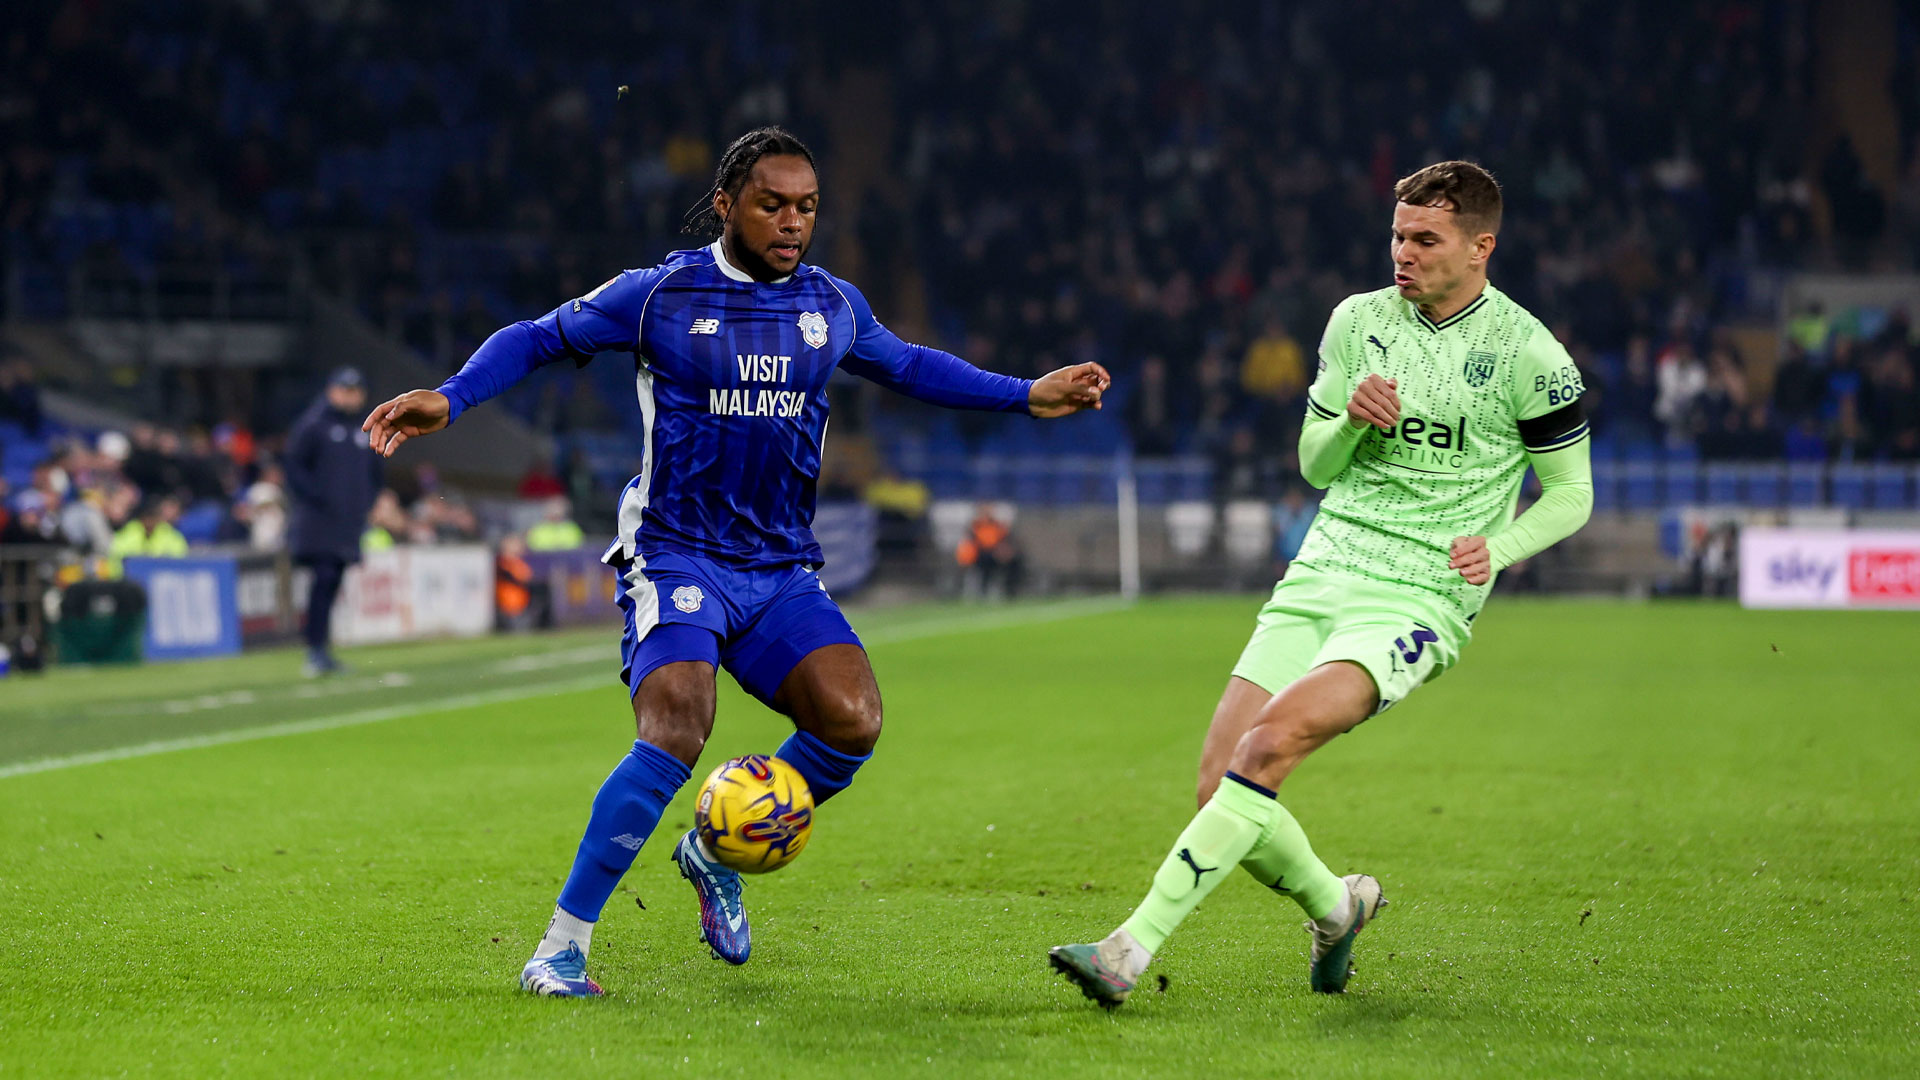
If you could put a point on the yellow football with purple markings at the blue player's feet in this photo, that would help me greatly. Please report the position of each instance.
(756, 814)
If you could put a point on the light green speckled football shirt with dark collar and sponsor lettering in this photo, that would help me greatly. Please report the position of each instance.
(1454, 462)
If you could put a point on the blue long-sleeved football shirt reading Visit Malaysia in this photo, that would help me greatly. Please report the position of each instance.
(732, 380)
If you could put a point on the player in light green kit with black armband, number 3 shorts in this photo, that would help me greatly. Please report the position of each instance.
(1433, 399)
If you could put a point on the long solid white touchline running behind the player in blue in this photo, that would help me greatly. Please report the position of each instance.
(892, 635)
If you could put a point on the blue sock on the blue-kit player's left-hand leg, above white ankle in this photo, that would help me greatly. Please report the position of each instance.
(625, 814)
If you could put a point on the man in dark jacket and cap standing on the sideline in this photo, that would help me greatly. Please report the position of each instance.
(333, 479)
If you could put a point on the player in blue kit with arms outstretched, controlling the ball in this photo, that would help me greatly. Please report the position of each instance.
(717, 564)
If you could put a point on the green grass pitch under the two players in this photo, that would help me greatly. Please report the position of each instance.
(1662, 841)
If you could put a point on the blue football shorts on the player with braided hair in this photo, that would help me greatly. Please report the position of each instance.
(757, 626)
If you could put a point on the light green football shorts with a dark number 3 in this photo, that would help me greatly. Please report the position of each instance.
(1314, 618)
